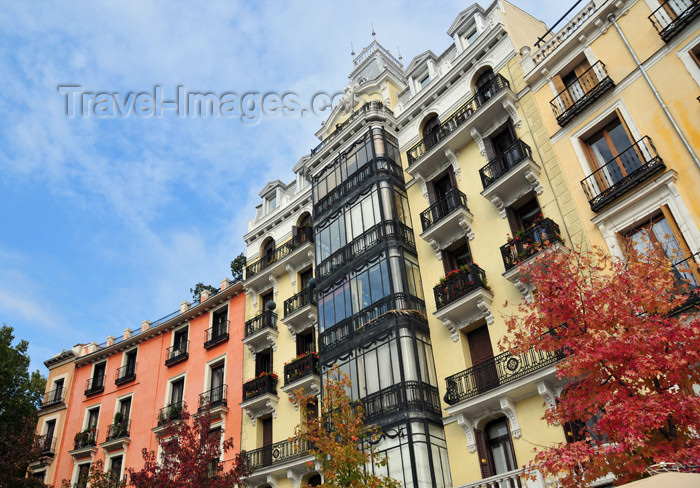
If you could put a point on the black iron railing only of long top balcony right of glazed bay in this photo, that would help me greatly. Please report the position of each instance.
(464, 112)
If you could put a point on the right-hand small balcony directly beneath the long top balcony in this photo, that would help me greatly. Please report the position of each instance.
(509, 176)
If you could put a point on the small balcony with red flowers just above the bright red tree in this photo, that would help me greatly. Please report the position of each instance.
(542, 235)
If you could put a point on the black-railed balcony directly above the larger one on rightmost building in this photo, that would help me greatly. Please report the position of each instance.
(581, 93)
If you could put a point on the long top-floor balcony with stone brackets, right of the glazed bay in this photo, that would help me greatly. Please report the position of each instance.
(486, 106)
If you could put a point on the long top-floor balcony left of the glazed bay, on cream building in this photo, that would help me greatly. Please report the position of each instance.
(293, 253)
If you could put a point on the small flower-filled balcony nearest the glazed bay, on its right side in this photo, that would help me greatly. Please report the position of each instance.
(462, 298)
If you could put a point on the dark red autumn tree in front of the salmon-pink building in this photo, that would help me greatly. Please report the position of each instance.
(191, 455)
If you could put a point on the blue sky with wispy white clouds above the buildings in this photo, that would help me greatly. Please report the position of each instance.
(112, 212)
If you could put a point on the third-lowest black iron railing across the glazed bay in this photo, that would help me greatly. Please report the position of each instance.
(373, 236)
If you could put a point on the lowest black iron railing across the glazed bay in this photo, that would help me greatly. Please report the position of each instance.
(402, 397)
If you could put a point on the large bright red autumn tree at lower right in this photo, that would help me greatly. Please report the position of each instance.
(631, 363)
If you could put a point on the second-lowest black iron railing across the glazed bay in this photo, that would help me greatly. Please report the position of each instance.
(368, 317)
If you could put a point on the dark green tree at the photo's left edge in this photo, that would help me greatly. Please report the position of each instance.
(20, 395)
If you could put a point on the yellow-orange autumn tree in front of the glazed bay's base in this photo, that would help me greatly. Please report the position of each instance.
(342, 444)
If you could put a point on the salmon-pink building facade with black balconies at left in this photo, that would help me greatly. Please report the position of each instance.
(109, 401)
